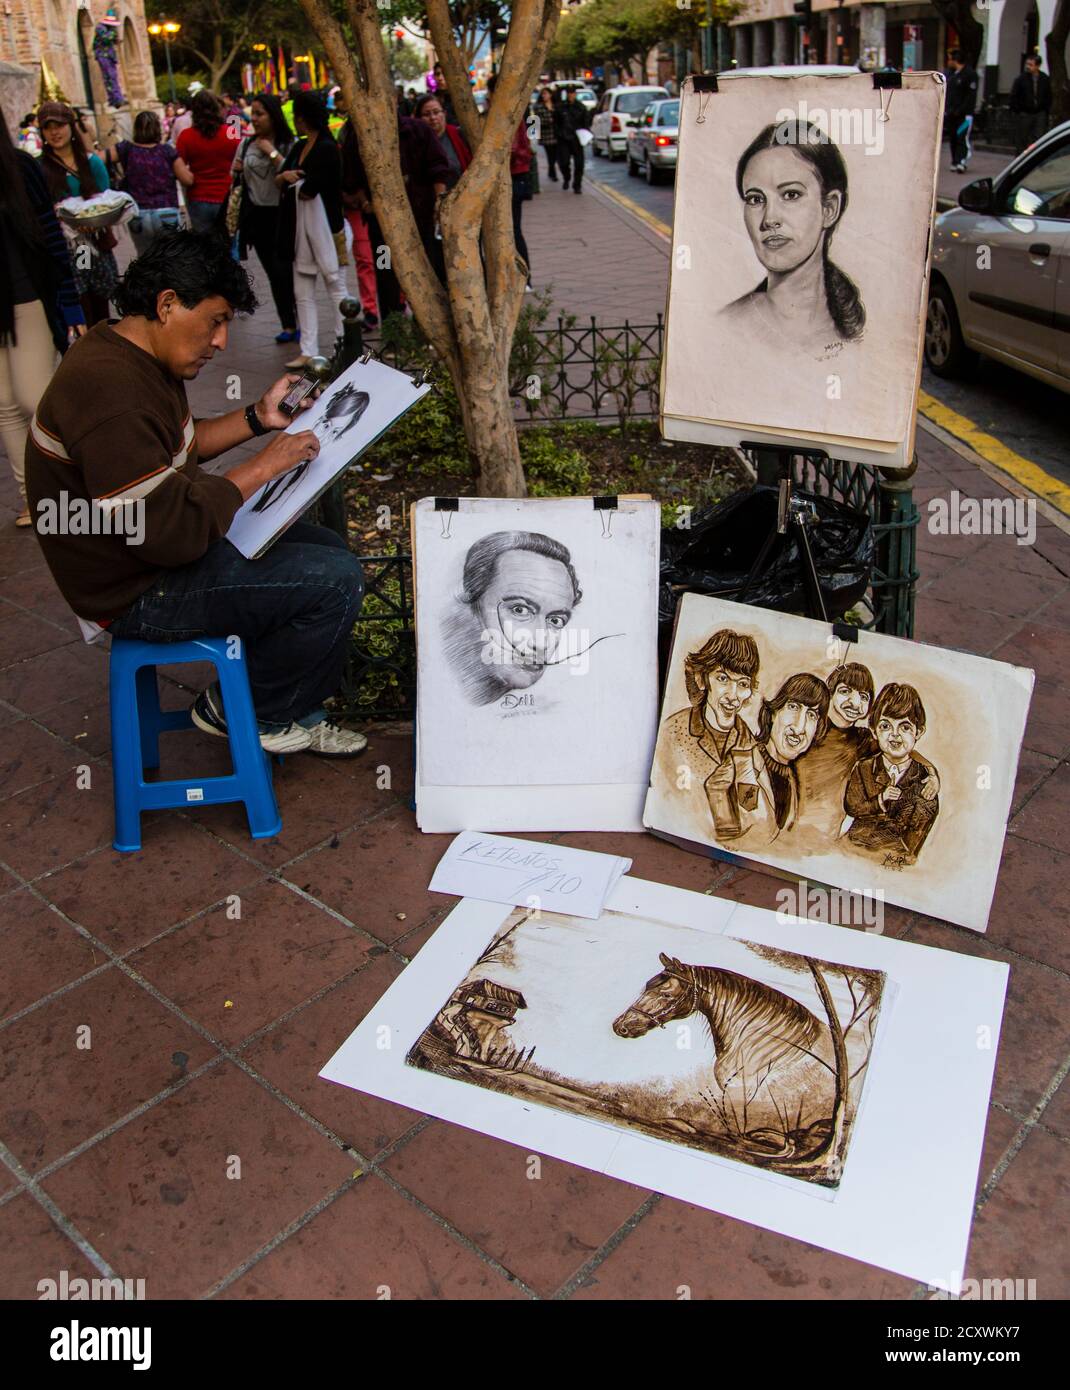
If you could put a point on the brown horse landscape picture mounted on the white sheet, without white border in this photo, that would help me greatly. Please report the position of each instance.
(746, 1052)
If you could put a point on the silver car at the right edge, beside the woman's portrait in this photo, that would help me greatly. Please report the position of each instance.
(1001, 269)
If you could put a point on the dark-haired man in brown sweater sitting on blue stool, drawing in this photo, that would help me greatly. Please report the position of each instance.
(115, 434)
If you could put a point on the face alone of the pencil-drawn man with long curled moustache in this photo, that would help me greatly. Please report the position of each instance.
(529, 605)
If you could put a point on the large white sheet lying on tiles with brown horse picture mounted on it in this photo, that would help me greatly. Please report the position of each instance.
(714, 1107)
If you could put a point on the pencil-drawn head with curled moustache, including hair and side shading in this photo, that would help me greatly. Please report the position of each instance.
(519, 593)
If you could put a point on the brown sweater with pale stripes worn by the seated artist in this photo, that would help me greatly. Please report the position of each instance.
(115, 430)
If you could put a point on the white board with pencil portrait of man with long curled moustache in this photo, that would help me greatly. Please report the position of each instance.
(537, 662)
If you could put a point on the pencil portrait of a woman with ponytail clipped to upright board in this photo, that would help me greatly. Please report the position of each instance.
(801, 263)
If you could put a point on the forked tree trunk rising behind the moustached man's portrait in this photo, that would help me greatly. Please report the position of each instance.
(470, 326)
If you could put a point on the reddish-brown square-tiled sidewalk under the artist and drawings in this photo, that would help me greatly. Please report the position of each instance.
(216, 975)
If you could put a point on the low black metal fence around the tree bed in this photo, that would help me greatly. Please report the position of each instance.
(604, 373)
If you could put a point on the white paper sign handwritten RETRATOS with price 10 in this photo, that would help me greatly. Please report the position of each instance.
(529, 875)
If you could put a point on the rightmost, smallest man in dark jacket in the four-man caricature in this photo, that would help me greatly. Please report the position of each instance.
(886, 794)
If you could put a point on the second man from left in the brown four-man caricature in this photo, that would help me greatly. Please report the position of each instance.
(755, 793)
